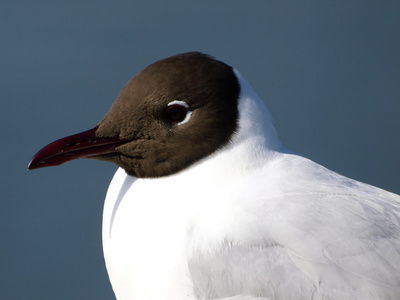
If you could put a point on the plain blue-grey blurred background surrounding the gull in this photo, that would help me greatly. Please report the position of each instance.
(328, 70)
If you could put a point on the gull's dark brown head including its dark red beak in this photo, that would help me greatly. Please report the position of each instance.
(170, 115)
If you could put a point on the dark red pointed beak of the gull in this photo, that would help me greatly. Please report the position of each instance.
(81, 145)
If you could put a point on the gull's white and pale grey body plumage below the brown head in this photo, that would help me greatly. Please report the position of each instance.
(251, 221)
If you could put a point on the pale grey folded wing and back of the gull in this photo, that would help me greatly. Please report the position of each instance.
(339, 239)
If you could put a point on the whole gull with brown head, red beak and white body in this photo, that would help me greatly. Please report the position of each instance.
(208, 204)
